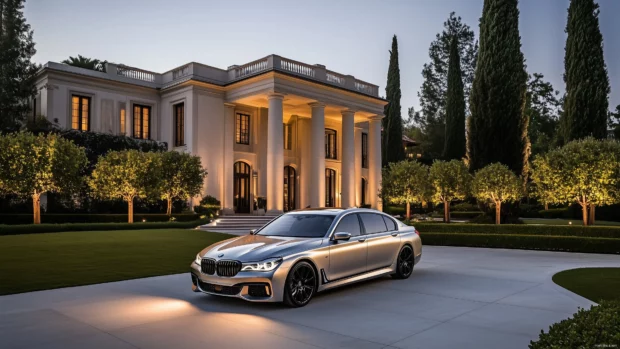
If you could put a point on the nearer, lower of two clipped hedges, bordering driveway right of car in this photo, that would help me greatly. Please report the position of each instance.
(525, 242)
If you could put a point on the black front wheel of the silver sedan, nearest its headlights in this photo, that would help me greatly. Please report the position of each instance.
(300, 285)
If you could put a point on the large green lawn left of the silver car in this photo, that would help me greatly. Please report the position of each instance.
(44, 261)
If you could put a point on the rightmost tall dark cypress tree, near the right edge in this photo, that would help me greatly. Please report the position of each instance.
(585, 74)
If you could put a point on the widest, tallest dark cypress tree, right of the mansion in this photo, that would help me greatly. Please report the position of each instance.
(497, 128)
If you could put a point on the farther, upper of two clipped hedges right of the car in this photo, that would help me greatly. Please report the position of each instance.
(519, 229)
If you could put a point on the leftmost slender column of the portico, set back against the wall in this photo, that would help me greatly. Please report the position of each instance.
(229, 158)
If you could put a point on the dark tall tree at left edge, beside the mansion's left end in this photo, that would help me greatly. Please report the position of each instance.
(16, 69)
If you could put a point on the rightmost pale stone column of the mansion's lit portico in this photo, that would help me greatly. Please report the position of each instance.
(374, 161)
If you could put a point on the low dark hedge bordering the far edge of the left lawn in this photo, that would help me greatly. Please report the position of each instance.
(57, 228)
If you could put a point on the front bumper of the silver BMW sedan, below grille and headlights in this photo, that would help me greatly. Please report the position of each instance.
(251, 286)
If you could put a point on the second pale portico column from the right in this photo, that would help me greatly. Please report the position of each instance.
(348, 159)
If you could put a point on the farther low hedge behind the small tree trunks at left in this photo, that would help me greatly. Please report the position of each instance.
(95, 218)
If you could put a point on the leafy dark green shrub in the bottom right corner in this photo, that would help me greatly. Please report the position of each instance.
(596, 327)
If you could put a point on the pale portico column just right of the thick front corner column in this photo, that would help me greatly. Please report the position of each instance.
(317, 155)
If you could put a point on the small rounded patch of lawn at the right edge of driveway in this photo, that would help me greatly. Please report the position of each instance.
(595, 284)
